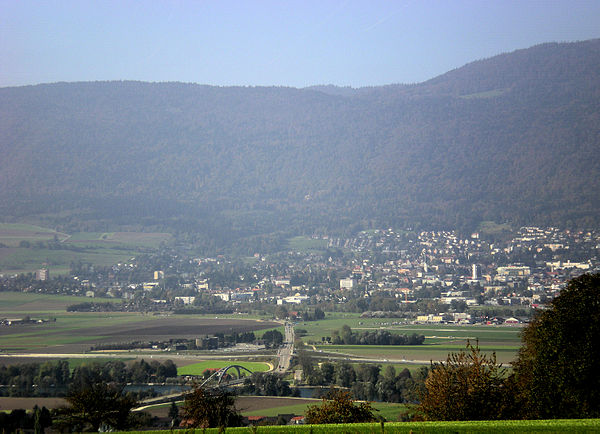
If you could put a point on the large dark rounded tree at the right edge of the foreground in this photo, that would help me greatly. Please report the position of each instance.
(558, 368)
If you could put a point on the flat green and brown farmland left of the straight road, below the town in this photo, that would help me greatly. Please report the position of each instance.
(66, 332)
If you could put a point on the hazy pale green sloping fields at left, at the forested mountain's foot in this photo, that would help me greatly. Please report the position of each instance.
(24, 248)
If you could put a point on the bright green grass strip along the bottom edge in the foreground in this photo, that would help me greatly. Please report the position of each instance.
(507, 426)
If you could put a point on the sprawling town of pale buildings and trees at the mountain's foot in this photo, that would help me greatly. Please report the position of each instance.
(432, 273)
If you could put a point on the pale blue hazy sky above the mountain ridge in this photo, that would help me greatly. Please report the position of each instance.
(290, 43)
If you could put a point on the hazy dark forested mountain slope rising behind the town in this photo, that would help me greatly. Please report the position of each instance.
(512, 138)
